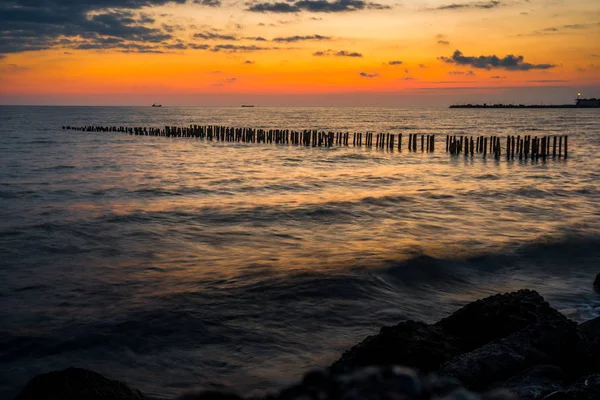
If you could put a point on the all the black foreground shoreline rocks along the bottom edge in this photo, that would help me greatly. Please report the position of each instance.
(507, 346)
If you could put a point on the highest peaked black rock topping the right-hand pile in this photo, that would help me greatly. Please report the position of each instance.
(496, 317)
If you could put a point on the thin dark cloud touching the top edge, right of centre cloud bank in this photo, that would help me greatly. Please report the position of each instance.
(316, 6)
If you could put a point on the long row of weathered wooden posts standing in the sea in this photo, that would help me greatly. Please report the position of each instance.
(515, 146)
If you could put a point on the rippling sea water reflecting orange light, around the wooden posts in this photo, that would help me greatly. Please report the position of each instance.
(175, 264)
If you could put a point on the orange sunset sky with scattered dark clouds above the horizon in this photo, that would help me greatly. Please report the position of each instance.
(297, 52)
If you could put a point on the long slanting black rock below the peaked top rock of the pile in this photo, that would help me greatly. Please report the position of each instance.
(548, 342)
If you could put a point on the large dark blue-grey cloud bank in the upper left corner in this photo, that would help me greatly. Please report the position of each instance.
(27, 25)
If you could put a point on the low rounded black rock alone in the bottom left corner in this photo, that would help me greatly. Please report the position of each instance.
(76, 384)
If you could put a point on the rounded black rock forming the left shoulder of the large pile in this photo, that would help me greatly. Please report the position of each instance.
(414, 344)
